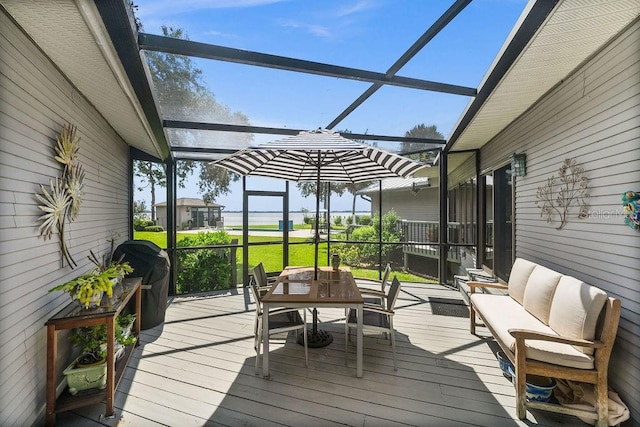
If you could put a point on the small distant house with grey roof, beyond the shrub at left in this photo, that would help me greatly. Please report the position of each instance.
(192, 213)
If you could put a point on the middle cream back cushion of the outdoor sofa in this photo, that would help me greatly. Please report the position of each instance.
(539, 292)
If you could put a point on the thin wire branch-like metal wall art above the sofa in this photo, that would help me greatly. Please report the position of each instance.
(572, 191)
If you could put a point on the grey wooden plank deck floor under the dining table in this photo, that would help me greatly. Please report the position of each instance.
(198, 369)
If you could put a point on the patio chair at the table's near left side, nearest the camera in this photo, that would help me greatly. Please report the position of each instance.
(280, 320)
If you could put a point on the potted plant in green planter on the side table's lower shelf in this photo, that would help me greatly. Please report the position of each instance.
(89, 369)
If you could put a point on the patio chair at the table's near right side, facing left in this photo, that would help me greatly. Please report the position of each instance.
(376, 318)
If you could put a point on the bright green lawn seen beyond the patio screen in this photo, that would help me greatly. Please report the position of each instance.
(271, 255)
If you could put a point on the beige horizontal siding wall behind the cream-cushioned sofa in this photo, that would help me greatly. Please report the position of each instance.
(594, 118)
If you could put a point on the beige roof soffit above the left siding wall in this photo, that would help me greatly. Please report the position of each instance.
(72, 35)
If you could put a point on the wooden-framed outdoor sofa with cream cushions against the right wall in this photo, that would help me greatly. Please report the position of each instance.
(551, 325)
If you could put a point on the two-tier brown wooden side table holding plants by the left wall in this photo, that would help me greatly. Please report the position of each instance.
(74, 316)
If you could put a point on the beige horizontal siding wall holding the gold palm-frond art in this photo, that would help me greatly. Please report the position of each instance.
(36, 102)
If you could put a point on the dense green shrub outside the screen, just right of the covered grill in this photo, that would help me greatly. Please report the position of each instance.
(203, 269)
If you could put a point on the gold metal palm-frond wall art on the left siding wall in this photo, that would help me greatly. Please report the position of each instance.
(62, 201)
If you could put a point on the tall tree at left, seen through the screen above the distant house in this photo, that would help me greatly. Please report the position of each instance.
(183, 95)
